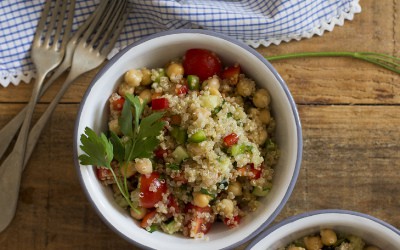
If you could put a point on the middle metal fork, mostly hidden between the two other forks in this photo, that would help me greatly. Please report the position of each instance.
(8, 132)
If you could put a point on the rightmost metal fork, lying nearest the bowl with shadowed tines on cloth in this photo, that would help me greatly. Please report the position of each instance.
(91, 50)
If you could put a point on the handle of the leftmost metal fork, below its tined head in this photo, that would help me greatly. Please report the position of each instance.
(11, 168)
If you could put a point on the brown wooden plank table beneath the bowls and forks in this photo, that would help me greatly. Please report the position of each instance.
(350, 114)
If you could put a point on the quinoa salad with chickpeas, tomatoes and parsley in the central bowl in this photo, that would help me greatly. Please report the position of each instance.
(191, 144)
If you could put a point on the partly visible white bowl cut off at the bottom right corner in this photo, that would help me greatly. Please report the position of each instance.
(370, 229)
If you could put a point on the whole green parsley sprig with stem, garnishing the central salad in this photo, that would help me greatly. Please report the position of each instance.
(139, 141)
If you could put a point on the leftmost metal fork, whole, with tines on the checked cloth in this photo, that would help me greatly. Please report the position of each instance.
(48, 48)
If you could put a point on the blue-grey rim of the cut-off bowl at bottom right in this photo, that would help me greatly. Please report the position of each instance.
(286, 222)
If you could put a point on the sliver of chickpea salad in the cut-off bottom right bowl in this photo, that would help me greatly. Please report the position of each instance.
(328, 239)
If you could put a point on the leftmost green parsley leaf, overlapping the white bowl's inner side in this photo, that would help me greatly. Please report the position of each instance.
(99, 151)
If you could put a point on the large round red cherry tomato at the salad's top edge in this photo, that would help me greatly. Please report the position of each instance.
(202, 63)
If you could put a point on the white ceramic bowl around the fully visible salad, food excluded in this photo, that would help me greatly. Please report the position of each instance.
(155, 51)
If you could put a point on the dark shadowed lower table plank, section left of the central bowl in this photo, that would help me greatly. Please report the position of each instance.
(53, 211)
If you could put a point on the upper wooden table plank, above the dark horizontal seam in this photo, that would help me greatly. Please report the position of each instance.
(312, 80)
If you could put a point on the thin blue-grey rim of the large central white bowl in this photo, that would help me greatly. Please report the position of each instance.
(222, 37)
